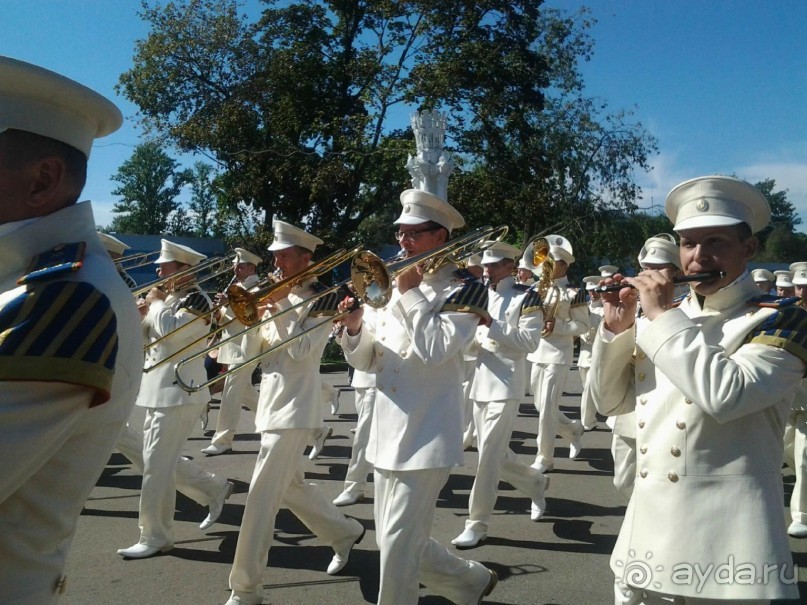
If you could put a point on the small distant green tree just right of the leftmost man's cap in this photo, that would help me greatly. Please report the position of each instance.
(150, 184)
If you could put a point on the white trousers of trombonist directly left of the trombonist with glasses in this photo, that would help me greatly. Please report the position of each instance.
(277, 479)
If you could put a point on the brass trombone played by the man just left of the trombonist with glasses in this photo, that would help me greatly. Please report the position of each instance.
(245, 303)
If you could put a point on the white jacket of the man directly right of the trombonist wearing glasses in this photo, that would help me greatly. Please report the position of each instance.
(515, 329)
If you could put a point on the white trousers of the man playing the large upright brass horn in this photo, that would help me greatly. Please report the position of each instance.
(548, 381)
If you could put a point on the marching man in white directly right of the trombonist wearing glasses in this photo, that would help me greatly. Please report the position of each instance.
(513, 331)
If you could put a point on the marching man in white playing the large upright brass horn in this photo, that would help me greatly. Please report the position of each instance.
(552, 359)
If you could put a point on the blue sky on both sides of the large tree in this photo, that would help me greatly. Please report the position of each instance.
(722, 84)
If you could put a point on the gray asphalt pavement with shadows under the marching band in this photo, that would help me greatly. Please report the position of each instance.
(563, 559)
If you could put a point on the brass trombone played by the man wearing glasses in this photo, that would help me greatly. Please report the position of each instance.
(372, 281)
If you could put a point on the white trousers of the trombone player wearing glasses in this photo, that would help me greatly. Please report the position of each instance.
(405, 502)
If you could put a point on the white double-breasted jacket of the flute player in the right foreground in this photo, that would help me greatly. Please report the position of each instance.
(711, 384)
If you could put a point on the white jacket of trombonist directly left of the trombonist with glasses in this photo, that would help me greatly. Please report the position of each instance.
(290, 393)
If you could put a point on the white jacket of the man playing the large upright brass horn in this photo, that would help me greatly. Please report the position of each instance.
(571, 319)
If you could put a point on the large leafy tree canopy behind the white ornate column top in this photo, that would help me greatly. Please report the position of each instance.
(300, 109)
